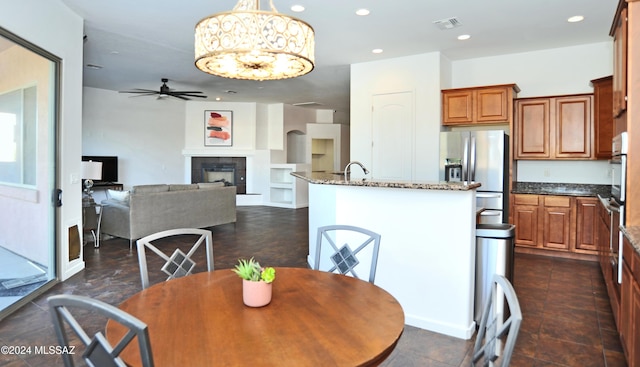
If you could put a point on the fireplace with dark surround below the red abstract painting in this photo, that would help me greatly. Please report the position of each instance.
(230, 170)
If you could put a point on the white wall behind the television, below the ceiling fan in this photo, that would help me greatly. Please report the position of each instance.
(146, 134)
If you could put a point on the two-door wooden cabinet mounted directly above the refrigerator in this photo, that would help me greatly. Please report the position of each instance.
(481, 105)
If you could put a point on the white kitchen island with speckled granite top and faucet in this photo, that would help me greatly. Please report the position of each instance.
(427, 251)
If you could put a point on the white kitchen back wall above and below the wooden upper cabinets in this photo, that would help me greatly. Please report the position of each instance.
(545, 73)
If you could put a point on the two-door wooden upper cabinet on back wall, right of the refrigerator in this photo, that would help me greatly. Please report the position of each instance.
(554, 127)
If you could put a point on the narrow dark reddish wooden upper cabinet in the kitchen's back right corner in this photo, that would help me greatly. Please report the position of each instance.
(602, 117)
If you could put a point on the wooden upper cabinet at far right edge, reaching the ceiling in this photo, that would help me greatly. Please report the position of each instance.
(619, 33)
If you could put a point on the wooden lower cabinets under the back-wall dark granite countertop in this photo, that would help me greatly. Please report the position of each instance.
(557, 223)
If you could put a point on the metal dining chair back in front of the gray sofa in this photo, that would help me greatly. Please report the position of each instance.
(179, 263)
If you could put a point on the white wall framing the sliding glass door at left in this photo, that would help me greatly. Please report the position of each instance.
(61, 36)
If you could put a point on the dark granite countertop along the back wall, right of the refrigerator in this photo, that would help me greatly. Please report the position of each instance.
(543, 188)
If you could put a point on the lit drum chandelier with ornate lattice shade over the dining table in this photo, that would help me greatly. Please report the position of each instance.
(247, 43)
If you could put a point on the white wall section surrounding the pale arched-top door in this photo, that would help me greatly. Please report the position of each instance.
(419, 75)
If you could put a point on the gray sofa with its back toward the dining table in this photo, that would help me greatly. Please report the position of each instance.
(148, 209)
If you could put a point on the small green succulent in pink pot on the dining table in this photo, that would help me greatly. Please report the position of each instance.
(257, 282)
